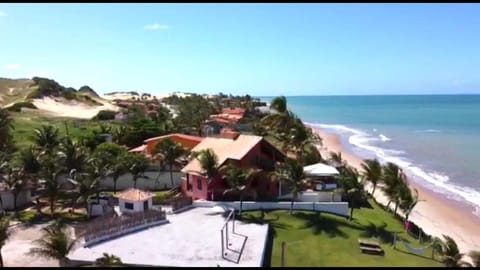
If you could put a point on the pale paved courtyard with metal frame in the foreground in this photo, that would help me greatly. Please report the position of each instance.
(191, 238)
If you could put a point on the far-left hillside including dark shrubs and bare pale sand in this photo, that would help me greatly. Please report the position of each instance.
(49, 97)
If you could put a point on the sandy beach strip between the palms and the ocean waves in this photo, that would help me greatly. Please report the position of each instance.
(434, 213)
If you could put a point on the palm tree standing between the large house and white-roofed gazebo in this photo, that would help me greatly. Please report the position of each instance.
(291, 172)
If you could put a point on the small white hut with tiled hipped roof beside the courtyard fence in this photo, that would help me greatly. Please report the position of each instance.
(134, 200)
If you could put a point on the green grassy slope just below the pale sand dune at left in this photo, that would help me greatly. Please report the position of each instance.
(25, 122)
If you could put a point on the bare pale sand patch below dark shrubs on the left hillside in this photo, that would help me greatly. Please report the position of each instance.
(65, 108)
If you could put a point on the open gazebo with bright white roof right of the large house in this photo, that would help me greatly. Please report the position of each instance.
(320, 176)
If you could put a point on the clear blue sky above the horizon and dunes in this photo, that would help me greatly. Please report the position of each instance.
(260, 49)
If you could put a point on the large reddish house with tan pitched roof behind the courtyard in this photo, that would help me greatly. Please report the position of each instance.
(246, 151)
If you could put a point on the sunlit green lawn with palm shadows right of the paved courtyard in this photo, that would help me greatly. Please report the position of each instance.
(327, 240)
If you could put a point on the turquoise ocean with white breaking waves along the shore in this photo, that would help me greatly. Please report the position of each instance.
(434, 138)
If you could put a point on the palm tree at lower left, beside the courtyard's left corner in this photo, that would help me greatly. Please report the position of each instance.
(55, 244)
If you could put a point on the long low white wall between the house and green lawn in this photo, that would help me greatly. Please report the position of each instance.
(339, 208)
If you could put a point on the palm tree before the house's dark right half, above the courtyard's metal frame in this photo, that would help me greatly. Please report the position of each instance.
(237, 179)
